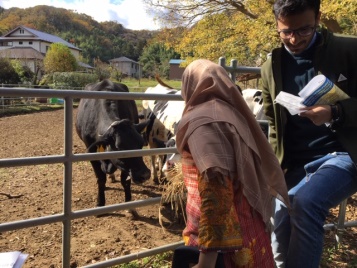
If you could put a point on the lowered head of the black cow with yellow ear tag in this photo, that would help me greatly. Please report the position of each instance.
(123, 135)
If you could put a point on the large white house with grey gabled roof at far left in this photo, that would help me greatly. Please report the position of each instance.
(30, 46)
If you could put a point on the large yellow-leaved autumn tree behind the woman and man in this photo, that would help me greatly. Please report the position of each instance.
(243, 30)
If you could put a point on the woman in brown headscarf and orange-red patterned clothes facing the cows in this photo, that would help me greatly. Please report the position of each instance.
(230, 171)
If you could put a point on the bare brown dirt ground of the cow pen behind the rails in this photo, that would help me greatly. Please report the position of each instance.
(38, 191)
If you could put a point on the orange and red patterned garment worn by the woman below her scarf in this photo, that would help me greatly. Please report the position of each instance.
(228, 225)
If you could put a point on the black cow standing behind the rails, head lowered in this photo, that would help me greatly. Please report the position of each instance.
(112, 125)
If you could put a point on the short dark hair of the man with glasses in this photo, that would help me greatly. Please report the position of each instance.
(283, 8)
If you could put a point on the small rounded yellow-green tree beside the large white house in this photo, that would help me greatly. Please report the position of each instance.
(59, 59)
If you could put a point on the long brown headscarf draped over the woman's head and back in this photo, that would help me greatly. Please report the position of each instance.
(211, 97)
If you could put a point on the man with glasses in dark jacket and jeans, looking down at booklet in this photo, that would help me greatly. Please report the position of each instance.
(319, 161)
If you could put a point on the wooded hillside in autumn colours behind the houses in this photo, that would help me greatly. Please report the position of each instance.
(103, 40)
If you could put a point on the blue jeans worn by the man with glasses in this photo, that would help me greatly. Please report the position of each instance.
(297, 238)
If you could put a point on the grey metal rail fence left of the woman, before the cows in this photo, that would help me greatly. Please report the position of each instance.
(68, 158)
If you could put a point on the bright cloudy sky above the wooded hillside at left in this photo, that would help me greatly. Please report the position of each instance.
(130, 13)
